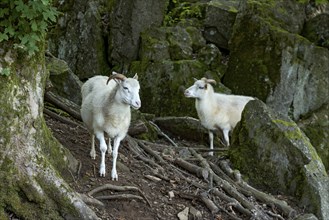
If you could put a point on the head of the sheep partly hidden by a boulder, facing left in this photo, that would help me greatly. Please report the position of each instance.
(200, 88)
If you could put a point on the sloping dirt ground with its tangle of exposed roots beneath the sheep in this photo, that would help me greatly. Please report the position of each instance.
(160, 181)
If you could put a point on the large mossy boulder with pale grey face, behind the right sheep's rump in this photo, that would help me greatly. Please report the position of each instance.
(271, 61)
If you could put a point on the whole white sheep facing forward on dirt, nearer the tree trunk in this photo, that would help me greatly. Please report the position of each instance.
(105, 107)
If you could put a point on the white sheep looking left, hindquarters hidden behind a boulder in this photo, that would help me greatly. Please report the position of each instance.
(216, 111)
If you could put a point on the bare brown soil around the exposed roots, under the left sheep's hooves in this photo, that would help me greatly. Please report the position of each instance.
(162, 197)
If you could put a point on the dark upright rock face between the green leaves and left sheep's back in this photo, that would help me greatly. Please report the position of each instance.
(78, 38)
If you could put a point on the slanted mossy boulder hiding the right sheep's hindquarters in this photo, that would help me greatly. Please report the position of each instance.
(276, 155)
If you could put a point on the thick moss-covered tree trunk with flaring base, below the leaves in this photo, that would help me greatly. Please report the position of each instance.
(31, 159)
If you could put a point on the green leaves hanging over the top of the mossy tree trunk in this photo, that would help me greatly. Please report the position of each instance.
(25, 23)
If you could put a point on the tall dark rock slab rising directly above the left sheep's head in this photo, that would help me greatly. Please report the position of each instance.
(127, 20)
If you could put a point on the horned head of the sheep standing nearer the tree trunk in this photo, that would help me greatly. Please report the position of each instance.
(128, 89)
